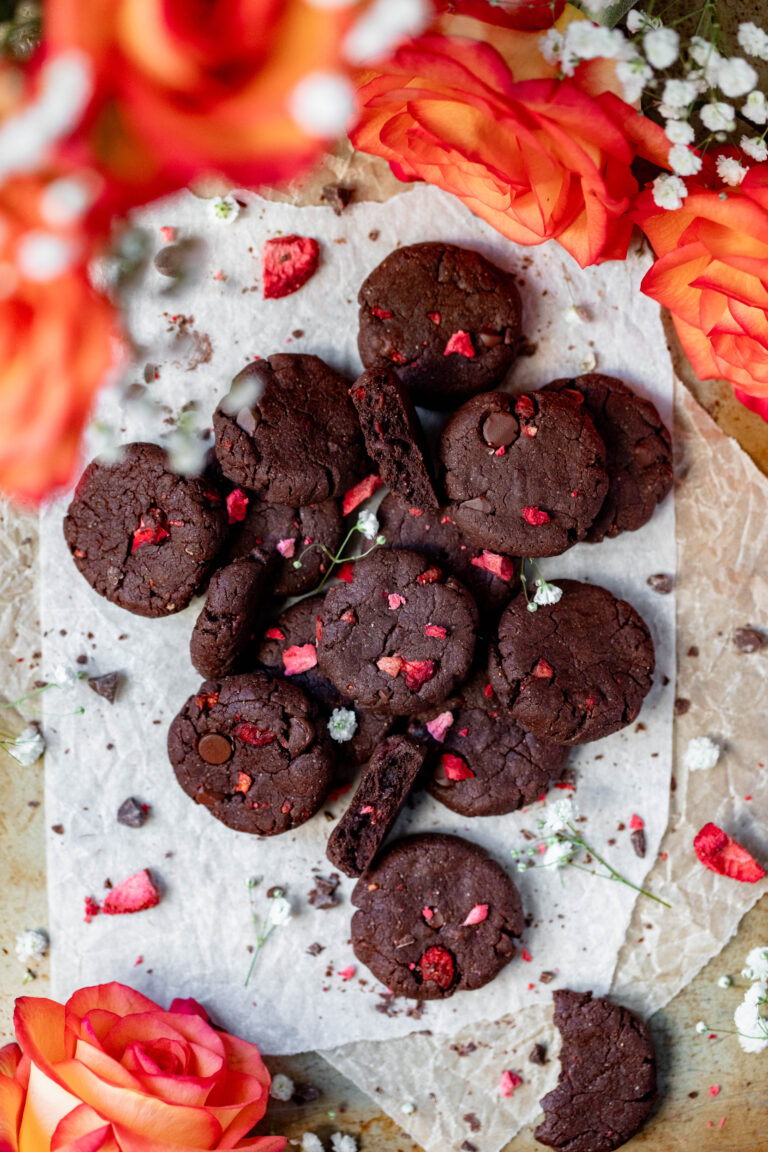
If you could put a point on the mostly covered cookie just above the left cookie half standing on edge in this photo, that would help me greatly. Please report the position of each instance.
(285, 533)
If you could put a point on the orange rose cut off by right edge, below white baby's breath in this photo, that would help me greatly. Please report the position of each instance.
(712, 274)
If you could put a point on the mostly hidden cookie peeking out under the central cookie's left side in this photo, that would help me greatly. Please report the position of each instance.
(296, 633)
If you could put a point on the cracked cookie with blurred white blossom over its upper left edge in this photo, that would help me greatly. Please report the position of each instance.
(288, 430)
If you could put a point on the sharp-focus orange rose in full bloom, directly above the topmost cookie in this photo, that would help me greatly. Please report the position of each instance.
(535, 156)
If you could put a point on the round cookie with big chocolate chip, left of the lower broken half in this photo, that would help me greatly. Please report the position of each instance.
(253, 751)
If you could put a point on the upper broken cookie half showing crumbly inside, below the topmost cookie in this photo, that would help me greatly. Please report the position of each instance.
(393, 436)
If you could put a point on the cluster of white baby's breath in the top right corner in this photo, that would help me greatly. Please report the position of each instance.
(691, 107)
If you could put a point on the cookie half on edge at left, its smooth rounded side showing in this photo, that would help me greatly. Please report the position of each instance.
(224, 632)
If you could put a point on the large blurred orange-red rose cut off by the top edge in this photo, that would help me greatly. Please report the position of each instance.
(184, 88)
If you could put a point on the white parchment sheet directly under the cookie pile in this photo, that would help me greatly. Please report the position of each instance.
(195, 942)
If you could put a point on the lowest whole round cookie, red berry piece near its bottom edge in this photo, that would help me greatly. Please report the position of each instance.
(436, 916)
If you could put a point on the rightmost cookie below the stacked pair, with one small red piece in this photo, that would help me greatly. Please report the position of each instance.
(574, 671)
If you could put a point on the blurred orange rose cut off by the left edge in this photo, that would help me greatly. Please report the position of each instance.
(57, 335)
